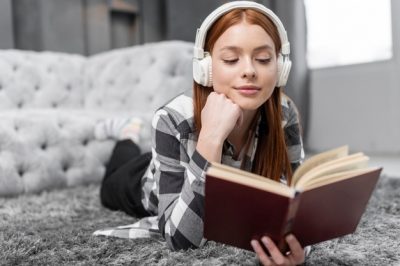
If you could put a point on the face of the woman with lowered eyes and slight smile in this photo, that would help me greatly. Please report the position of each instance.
(244, 65)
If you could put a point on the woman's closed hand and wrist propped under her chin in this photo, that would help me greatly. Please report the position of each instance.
(218, 118)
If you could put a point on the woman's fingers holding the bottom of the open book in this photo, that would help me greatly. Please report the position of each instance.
(295, 257)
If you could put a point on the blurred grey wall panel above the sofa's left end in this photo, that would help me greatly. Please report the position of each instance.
(49, 25)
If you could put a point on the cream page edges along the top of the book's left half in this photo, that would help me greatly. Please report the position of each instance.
(248, 179)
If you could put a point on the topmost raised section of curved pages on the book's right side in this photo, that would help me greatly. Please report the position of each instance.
(319, 159)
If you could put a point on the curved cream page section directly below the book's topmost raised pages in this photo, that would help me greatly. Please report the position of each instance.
(347, 163)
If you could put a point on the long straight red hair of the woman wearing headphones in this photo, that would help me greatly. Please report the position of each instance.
(271, 156)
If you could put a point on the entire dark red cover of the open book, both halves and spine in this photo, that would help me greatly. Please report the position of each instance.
(235, 213)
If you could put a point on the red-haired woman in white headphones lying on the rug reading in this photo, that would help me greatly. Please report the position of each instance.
(236, 115)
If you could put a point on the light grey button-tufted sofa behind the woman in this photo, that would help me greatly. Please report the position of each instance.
(50, 103)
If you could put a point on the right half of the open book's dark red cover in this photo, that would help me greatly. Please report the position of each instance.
(333, 210)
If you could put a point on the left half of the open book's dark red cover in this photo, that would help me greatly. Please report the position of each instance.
(234, 214)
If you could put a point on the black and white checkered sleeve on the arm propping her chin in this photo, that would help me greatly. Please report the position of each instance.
(181, 183)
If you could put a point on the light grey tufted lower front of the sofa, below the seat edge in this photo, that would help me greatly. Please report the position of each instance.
(50, 148)
